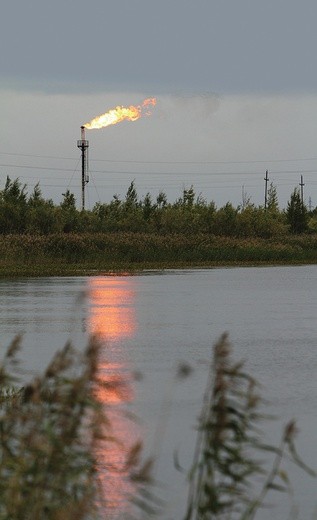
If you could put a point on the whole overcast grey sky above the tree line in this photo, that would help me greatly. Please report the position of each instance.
(235, 82)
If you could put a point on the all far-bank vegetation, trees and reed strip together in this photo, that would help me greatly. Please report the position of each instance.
(38, 237)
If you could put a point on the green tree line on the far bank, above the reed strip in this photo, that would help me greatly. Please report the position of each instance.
(24, 213)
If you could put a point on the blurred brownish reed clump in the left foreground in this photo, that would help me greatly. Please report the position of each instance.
(50, 432)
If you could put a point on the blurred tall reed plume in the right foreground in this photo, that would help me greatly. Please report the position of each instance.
(226, 460)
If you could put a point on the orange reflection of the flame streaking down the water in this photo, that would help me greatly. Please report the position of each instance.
(112, 318)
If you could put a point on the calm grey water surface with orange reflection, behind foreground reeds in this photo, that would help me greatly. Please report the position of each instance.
(150, 323)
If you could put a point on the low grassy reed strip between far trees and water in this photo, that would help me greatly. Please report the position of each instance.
(88, 254)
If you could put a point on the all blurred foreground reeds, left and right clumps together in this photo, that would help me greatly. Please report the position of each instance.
(52, 429)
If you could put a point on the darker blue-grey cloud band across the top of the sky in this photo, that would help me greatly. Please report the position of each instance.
(176, 45)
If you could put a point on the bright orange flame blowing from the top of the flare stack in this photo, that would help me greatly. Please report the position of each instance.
(120, 113)
